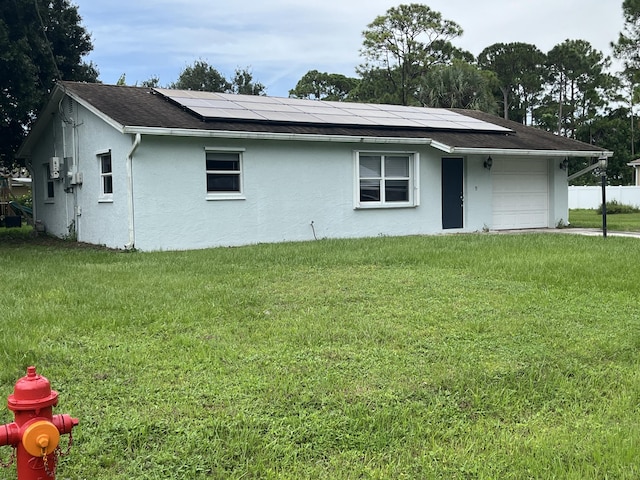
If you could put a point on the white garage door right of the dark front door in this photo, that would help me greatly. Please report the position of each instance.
(520, 193)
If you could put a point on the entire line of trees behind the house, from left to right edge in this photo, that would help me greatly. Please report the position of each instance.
(409, 57)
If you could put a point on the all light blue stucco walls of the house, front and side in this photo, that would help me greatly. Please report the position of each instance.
(292, 190)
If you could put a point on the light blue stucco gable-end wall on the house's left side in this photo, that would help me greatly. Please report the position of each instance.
(76, 209)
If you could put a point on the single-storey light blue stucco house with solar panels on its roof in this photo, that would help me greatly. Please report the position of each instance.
(162, 169)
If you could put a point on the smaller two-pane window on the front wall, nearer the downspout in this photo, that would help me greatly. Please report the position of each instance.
(224, 179)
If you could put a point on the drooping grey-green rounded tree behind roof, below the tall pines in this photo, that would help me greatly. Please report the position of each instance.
(460, 85)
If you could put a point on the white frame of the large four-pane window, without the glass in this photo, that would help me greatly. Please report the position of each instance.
(412, 178)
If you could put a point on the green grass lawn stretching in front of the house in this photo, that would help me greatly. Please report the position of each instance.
(472, 356)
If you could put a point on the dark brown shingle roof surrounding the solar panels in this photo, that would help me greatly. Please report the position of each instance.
(141, 107)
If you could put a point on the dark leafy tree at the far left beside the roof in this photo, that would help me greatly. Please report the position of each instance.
(40, 42)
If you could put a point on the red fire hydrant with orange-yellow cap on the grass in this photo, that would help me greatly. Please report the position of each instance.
(35, 433)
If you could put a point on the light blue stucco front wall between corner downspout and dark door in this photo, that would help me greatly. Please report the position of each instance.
(292, 191)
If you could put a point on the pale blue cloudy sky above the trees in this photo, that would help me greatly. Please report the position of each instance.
(280, 40)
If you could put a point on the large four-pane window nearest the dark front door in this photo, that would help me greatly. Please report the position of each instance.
(386, 179)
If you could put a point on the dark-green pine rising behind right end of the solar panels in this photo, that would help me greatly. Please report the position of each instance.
(519, 70)
